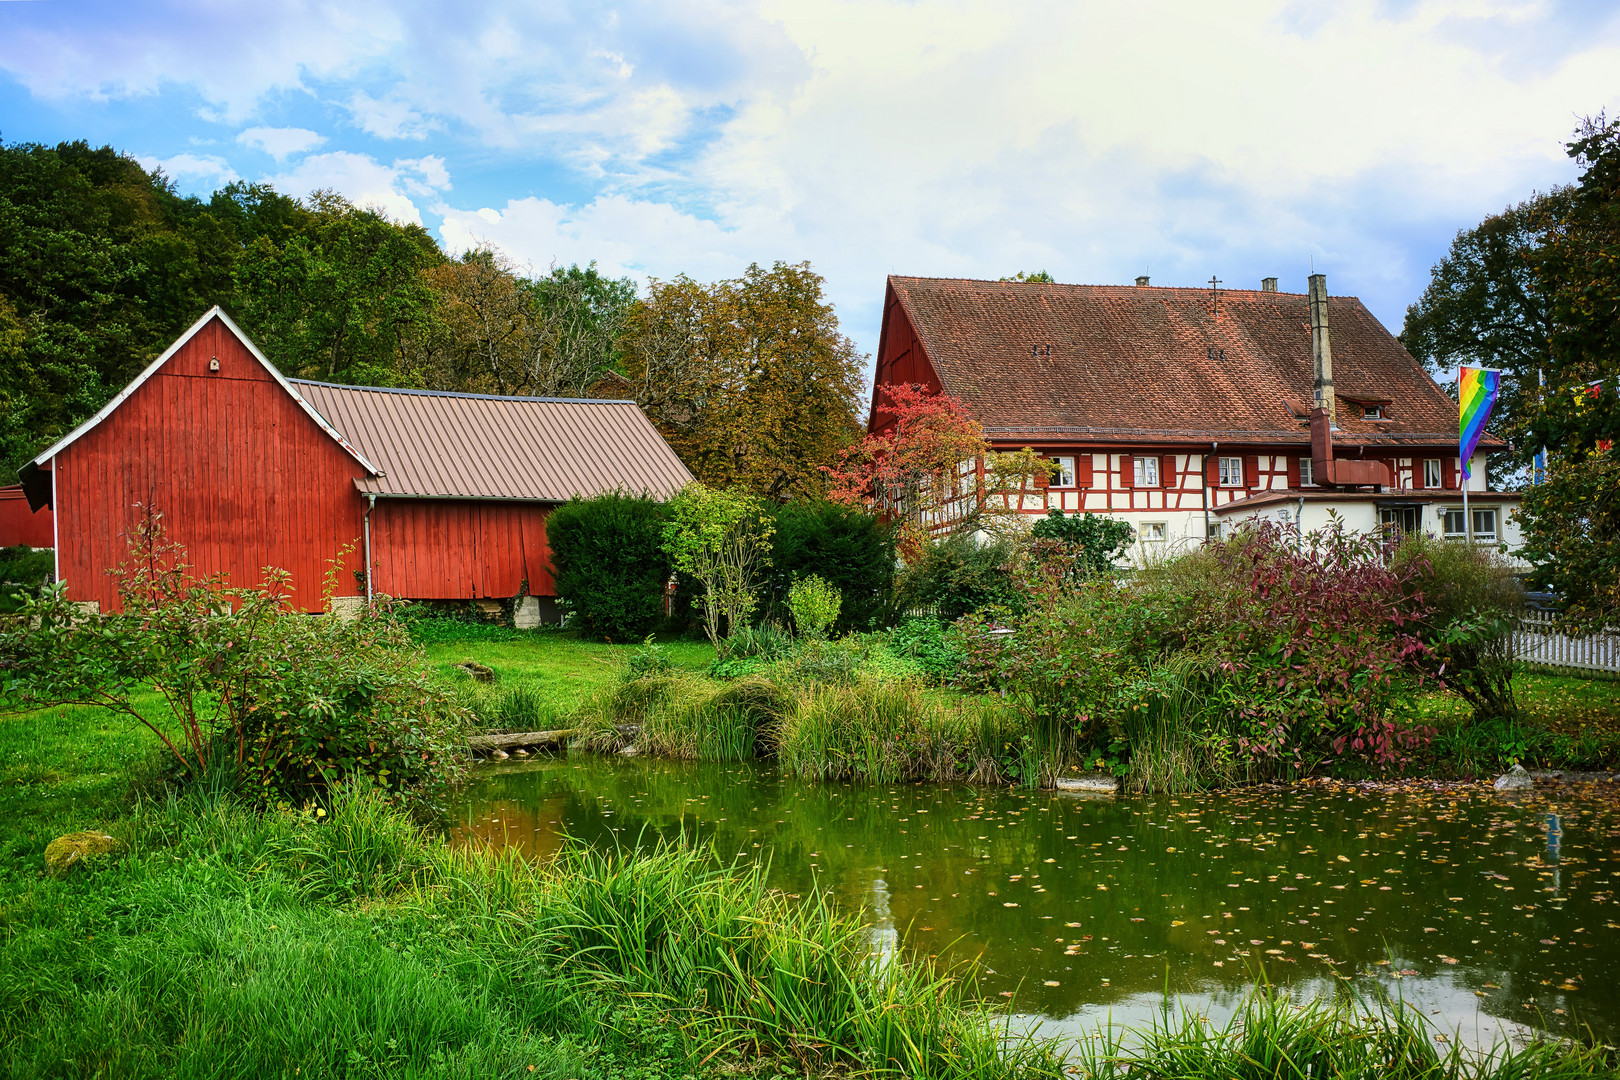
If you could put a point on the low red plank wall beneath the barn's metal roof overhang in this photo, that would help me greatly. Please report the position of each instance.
(456, 550)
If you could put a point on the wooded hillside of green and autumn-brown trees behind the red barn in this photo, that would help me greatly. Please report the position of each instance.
(106, 263)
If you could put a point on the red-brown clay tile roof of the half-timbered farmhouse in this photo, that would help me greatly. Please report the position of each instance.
(1132, 364)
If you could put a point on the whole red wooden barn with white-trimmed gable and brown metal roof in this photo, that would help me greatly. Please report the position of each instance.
(443, 496)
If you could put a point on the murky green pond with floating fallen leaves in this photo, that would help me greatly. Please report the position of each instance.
(1494, 914)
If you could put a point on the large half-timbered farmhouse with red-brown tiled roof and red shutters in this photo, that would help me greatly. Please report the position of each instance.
(1190, 410)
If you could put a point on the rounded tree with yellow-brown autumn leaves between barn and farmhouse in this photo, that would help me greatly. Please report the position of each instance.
(749, 380)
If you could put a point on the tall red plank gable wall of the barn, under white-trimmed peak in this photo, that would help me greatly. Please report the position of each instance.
(242, 475)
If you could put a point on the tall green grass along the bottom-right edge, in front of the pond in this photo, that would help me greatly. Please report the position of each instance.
(1274, 1039)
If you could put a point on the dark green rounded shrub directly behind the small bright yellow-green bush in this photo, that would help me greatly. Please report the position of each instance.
(845, 546)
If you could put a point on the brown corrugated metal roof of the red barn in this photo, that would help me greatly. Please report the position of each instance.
(474, 446)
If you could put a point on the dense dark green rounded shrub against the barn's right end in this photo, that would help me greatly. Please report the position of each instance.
(610, 564)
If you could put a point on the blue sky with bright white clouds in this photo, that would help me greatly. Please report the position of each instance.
(936, 138)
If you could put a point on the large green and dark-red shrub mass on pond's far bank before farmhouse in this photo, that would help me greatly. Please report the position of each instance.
(1253, 658)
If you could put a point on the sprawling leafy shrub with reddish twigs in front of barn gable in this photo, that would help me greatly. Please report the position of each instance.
(291, 705)
